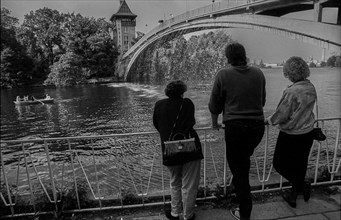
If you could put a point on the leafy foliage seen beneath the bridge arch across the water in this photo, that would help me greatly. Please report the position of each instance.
(194, 60)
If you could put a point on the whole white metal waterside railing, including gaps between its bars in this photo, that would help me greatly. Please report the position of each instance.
(125, 170)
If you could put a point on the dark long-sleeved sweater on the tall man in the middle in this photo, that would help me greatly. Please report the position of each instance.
(238, 92)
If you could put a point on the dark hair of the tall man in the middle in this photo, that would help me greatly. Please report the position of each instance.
(235, 54)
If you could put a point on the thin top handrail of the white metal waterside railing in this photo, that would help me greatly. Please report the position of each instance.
(117, 135)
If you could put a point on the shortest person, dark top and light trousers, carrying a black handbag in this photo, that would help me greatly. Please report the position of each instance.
(173, 115)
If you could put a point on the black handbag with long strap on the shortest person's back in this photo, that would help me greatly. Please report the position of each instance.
(178, 143)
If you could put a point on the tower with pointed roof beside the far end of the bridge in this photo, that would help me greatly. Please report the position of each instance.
(124, 26)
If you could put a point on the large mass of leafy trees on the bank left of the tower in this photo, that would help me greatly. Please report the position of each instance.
(49, 41)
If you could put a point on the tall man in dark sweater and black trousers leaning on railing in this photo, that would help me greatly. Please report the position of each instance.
(239, 94)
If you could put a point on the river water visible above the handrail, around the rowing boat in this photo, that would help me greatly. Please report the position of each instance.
(125, 107)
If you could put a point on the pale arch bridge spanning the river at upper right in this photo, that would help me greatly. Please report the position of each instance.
(258, 15)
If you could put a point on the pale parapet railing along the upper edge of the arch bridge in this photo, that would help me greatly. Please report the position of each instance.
(192, 14)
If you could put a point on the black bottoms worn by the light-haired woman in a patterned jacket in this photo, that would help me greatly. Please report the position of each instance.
(291, 157)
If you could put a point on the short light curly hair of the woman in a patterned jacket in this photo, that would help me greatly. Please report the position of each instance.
(296, 69)
